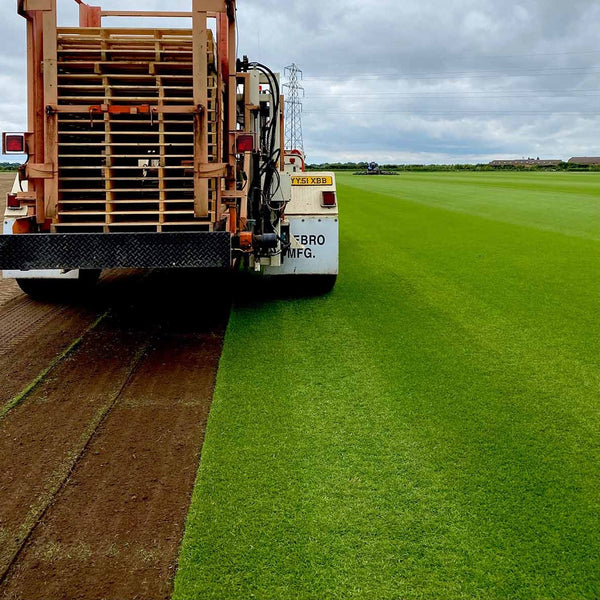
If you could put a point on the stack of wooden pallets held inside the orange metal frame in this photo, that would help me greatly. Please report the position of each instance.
(130, 172)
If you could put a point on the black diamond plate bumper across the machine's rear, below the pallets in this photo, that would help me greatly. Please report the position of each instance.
(115, 250)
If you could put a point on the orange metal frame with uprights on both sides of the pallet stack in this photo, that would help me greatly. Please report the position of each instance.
(43, 109)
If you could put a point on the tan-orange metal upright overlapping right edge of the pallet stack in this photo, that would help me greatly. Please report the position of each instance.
(200, 79)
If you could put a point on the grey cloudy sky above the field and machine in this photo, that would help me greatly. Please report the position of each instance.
(407, 81)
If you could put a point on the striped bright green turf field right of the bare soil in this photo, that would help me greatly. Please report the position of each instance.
(431, 429)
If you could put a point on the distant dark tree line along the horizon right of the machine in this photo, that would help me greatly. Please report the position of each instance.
(362, 166)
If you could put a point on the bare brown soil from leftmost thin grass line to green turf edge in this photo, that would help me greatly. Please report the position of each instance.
(113, 522)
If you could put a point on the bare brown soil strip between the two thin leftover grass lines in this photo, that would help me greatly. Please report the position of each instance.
(41, 439)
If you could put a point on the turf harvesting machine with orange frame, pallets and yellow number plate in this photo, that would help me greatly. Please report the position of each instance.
(156, 148)
